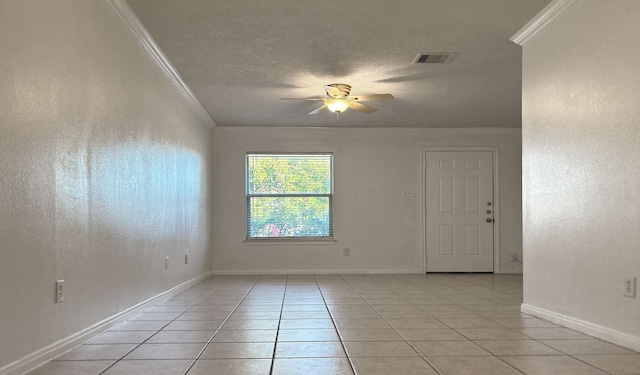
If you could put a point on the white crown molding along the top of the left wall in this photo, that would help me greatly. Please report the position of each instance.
(126, 14)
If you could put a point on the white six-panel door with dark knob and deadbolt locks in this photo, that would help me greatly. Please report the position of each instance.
(459, 211)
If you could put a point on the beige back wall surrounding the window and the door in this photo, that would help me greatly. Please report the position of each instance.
(372, 168)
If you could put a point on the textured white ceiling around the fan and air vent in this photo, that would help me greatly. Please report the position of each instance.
(241, 57)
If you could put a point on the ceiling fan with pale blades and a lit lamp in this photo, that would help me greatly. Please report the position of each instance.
(339, 99)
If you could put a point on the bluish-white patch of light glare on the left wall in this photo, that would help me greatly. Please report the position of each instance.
(135, 190)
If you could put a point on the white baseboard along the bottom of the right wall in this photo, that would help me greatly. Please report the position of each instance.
(607, 334)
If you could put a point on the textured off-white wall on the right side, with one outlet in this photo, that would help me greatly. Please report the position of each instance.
(581, 151)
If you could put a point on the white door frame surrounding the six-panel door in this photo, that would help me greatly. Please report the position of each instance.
(496, 199)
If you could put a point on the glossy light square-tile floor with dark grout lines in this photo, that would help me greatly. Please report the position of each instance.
(444, 324)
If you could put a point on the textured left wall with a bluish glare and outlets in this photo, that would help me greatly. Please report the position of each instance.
(103, 173)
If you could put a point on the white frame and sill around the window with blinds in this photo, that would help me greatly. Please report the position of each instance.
(290, 239)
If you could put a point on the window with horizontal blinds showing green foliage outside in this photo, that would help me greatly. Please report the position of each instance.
(289, 195)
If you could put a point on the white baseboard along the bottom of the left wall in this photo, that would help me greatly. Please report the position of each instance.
(41, 356)
